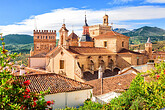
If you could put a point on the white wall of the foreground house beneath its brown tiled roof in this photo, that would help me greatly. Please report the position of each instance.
(69, 99)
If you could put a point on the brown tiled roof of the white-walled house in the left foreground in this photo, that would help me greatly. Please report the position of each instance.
(54, 82)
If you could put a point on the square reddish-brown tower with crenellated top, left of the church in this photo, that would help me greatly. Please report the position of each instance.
(44, 41)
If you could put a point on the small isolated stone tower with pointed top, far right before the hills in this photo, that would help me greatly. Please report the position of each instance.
(148, 48)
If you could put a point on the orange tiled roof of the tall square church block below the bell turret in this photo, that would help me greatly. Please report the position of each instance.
(109, 34)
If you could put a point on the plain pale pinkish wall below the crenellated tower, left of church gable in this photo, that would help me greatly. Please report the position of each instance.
(37, 62)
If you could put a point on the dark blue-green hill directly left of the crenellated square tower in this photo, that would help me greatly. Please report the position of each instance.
(18, 39)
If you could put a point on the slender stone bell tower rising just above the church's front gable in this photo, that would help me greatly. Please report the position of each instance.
(63, 41)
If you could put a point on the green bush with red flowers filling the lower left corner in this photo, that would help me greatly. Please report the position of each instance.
(14, 93)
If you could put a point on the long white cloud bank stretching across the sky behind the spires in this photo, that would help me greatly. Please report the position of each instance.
(75, 17)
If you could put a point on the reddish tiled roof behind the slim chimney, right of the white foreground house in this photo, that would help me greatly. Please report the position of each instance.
(110, 84)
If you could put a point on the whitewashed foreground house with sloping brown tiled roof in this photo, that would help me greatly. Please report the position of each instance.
(64, 91)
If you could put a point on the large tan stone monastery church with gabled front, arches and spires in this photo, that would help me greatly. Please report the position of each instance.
(80, 59)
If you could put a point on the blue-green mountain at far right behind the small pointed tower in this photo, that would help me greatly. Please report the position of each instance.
(140, 35)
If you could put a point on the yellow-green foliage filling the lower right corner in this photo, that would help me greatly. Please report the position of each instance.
(142, 94)
